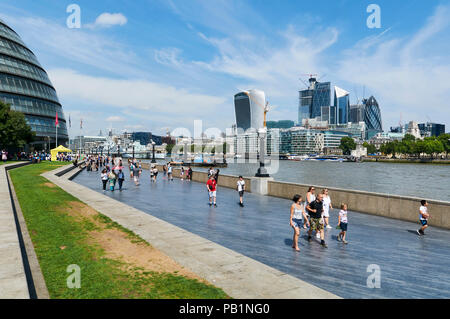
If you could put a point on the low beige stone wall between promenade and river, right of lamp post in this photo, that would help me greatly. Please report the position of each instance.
(392, 206)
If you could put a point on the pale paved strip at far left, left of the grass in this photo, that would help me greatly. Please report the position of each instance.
(13, 281)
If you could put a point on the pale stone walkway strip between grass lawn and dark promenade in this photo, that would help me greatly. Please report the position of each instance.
(238, 275)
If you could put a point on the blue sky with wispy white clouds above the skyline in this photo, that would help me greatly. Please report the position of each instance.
(158, 65)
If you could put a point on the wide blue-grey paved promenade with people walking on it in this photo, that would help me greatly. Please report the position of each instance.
(411, 266)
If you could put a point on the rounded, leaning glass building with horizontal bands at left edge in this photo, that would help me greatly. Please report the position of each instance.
(24, 85)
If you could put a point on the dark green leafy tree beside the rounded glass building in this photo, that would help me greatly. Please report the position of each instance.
(14, 129)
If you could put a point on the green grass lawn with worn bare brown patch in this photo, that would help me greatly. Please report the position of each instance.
(65, 231)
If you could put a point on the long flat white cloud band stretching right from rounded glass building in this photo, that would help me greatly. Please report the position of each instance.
(138, 95)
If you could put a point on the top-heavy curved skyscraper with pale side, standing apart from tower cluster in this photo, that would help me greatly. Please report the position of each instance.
(249, 108)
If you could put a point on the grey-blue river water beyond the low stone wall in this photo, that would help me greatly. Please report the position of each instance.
(430, 181)
